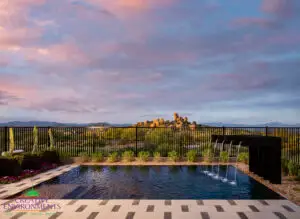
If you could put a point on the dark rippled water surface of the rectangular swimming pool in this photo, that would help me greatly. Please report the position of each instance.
(154, 182)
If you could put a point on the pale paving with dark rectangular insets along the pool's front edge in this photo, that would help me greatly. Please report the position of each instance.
(162, 209)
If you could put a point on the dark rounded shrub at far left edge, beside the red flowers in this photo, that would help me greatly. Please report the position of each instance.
(9, 167)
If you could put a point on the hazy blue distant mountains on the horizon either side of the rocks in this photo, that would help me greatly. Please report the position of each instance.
(56, 124)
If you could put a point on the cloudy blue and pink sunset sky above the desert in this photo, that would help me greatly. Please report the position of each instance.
(234, 61)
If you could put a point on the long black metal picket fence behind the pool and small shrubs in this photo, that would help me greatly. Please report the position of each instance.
(74, 140)
